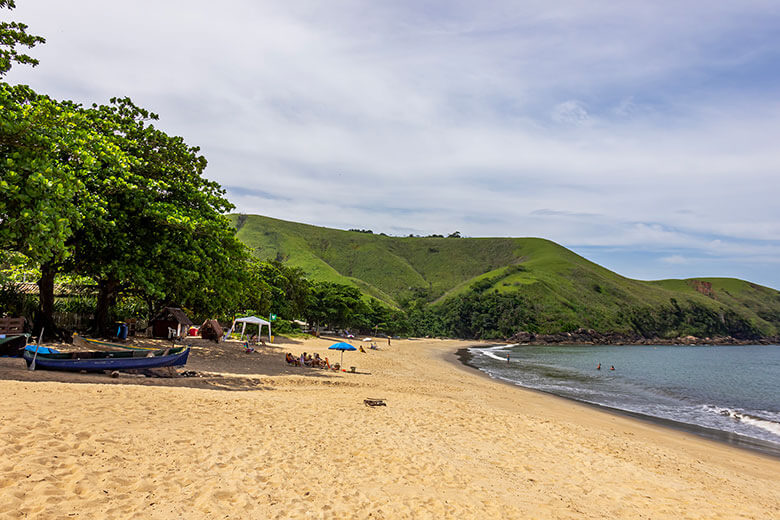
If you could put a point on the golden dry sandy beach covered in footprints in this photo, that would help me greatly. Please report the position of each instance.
(255, 438)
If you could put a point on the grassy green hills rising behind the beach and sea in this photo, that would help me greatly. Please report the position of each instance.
(534, 284)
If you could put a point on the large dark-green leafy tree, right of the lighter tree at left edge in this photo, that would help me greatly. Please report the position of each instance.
(163, 232)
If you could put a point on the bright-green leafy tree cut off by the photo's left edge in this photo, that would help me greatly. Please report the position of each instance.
(47, 149)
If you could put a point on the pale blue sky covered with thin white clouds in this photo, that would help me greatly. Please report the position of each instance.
(643, 135)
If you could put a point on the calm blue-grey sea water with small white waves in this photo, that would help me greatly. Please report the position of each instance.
(731, 389)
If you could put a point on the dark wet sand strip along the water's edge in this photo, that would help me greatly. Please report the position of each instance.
(462, 357)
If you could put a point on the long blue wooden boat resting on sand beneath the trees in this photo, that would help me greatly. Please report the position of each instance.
(101, 360)
